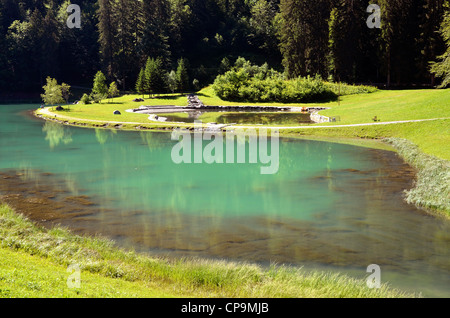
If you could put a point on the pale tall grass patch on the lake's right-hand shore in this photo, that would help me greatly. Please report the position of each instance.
(432, 187)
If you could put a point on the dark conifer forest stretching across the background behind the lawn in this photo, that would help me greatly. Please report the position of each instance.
(326, 38)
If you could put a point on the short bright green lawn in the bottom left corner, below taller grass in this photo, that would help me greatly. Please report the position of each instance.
(24, 275)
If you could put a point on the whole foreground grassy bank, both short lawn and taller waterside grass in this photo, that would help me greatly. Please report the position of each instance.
(35, 260)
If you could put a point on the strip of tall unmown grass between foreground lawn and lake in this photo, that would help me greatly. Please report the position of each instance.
(203, 277)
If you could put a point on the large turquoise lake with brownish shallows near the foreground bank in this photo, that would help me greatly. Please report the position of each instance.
(330, 206)
